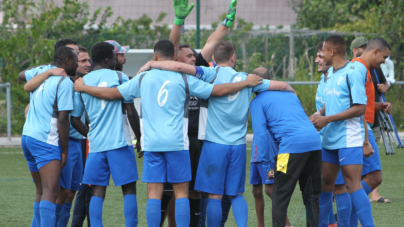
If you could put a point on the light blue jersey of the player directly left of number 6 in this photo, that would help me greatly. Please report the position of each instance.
(106, 117)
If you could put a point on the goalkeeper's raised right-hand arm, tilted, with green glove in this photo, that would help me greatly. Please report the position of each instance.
(220, 33)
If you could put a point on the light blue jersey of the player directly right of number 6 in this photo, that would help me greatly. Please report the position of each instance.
(224, 121)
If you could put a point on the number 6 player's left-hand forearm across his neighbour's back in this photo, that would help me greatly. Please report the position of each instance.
(99, 92)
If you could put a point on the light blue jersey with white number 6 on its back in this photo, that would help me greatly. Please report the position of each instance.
(164, 111)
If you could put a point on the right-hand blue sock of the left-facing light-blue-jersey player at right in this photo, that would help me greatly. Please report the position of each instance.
(363, 209)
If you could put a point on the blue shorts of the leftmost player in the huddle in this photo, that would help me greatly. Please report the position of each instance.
(38, 153)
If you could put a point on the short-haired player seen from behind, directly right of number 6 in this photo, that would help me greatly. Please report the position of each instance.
(223, 172)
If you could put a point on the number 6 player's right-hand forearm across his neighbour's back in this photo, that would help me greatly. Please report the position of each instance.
(231, 88)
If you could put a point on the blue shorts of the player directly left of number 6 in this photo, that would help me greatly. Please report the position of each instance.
(120, 163)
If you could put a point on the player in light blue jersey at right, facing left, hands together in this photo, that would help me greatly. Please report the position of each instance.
(341, 117)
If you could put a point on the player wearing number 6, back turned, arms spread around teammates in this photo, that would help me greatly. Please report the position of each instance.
(164, 117)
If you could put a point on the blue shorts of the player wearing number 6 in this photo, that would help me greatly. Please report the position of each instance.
(172, 167)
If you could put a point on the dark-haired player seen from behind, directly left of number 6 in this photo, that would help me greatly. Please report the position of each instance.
(110, 154)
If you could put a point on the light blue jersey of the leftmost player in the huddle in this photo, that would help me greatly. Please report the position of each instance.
(53, 95)
